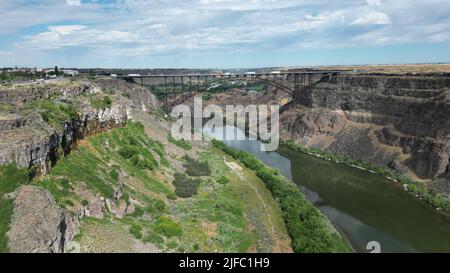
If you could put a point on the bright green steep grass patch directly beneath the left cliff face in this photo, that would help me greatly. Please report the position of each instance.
(97, 165)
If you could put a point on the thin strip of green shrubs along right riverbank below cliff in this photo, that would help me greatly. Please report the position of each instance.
(418, 189)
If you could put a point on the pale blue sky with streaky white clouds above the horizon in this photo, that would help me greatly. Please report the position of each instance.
(222, 33)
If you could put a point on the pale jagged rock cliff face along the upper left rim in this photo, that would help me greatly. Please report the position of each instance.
(29, 141)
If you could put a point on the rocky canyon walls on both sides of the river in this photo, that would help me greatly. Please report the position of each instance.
(103, 173)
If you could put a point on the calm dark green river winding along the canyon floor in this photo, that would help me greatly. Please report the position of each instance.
(363, 206)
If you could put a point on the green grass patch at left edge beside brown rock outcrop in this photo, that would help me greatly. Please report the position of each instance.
(11, 178)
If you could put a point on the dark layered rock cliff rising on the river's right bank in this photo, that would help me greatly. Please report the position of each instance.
(402, 121)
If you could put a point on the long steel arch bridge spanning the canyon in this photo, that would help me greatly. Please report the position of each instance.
(175, 89)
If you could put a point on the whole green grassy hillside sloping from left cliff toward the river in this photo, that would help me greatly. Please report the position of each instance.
(213, 217)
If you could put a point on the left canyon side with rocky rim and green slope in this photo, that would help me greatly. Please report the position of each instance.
(87, 165)
